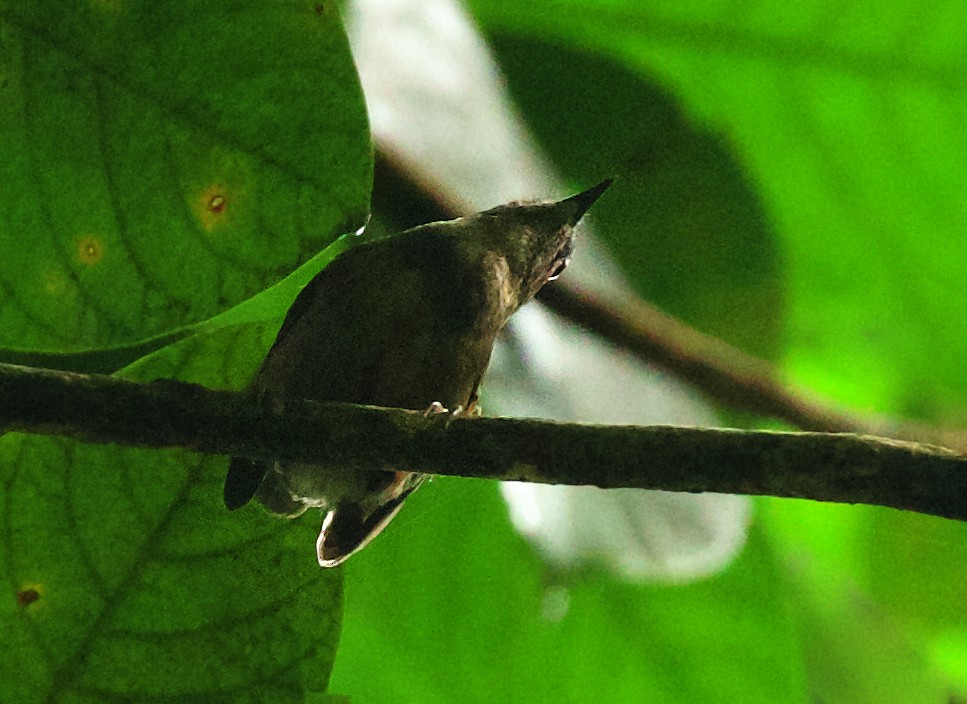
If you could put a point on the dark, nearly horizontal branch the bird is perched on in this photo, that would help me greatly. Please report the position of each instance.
(842, 468)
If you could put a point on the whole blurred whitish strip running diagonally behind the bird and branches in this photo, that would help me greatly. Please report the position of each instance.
(436, 103)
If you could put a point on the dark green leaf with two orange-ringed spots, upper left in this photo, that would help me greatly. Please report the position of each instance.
(162, 162)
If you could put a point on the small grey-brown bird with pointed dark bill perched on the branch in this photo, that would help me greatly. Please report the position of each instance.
(405, 321)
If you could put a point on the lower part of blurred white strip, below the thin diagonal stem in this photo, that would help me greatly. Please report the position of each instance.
(652, 536)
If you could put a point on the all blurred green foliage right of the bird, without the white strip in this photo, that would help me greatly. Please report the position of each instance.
(789, 180)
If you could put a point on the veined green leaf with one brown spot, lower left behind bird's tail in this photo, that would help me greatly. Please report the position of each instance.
(127, 578)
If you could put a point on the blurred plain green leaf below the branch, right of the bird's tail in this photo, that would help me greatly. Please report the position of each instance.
(451, 605)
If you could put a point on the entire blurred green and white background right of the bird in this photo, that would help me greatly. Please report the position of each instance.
(789, 179)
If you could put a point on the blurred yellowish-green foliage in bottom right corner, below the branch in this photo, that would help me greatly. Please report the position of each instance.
(859, 646)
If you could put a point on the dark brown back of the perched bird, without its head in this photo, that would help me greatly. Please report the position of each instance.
(383, 324)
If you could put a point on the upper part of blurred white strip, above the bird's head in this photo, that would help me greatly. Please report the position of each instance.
(436, 102)
